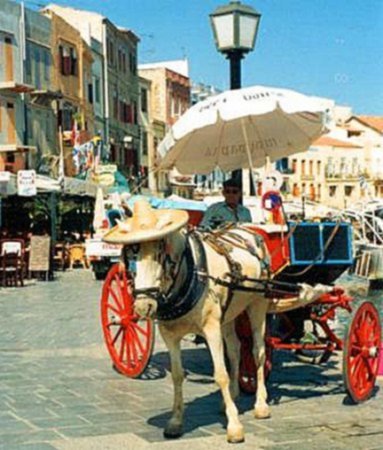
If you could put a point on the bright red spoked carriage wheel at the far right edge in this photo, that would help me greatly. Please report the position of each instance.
(361, 352)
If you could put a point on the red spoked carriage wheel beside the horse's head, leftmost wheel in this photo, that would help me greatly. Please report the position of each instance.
(129, 339)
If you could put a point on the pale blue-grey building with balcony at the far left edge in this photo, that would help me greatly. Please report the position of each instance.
(27, 124)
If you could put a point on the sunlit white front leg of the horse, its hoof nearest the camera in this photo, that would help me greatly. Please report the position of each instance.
(213, 335)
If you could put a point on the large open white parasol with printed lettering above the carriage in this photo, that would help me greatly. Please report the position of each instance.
(242, 129)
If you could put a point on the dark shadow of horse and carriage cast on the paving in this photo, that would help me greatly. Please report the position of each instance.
(290, 381)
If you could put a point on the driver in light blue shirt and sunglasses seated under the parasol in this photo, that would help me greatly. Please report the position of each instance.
(228, 211)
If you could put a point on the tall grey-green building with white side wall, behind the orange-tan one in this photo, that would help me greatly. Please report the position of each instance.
(117, 87)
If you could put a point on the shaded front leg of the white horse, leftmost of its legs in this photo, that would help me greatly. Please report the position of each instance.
(173, 428)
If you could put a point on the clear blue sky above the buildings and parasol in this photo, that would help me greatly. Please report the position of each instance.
(328, 48)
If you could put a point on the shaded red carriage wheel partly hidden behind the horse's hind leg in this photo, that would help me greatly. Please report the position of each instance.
(247, 367)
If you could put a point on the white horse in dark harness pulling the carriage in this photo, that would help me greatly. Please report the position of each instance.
(163, 267)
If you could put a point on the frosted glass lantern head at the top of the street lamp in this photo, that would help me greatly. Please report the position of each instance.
(235, 27)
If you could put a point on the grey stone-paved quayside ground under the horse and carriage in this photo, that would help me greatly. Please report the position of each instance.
(59, 391)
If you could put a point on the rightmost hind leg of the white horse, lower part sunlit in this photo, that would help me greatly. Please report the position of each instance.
(257, 315)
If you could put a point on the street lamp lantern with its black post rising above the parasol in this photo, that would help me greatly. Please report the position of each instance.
(235, 28)
